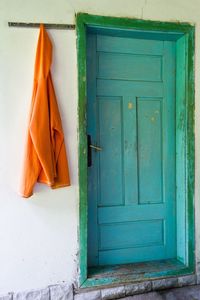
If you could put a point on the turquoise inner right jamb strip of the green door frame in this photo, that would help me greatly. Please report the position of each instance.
(180, 150)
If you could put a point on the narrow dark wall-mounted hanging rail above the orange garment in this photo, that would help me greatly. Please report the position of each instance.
(46, 25)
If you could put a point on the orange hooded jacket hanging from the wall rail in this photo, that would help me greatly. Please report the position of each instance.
(45, 156)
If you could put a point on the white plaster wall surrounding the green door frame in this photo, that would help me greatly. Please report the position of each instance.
(38, 237)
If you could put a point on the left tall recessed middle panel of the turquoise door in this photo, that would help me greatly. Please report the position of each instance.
(110, 140)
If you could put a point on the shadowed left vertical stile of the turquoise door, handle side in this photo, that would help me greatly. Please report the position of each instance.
(92, 185)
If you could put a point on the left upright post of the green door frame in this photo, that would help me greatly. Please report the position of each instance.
(82, 151)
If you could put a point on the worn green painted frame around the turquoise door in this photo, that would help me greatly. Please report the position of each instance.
(183, 34)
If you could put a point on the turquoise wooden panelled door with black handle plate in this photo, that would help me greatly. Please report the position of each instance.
(131, 173)
